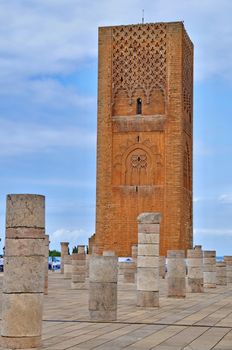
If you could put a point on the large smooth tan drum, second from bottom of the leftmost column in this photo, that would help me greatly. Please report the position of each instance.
(22, 315)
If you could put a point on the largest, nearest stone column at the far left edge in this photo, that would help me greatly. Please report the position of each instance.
(23, 283)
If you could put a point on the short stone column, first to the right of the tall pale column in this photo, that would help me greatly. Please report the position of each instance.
(176, 272)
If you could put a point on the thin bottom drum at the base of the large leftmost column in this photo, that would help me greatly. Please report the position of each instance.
(20, 342)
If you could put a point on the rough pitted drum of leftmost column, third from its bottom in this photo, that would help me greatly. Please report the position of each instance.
(23, 274)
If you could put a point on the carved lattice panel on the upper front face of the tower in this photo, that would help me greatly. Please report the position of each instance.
(139, 59)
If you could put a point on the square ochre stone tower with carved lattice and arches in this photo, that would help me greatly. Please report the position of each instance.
(144, 149)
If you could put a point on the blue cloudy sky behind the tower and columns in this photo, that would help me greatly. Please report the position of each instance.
(48, 89)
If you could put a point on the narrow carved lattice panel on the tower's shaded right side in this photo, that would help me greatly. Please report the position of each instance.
(187, 76)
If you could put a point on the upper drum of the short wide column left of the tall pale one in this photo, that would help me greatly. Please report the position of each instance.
(103, 269)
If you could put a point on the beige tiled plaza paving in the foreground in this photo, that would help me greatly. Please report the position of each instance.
(199, 322)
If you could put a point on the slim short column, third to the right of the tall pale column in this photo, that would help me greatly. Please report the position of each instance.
(209, 268)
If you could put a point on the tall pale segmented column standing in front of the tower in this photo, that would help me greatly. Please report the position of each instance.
(148, 259)
